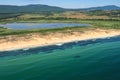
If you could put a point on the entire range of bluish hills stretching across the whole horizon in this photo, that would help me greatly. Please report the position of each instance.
(45, 8)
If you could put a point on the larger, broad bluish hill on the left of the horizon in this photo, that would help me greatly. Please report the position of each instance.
(28, 8)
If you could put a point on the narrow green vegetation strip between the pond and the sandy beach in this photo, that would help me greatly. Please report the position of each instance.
(5, 32)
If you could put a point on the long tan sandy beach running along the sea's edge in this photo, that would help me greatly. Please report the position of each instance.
(33, 40)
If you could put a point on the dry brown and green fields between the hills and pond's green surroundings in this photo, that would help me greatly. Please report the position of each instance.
(66, 15)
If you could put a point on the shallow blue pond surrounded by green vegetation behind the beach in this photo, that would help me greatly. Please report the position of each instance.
(42, 25)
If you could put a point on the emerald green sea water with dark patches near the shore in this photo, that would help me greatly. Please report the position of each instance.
(85, 60)
